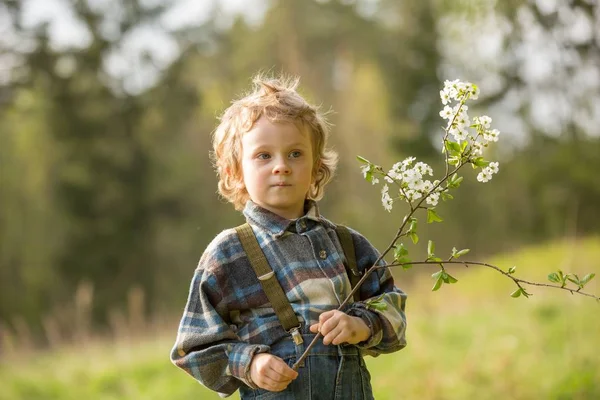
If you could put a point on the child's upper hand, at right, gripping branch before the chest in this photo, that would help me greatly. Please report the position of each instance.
(338, 327)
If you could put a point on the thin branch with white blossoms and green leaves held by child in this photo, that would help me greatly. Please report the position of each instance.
(469, 139)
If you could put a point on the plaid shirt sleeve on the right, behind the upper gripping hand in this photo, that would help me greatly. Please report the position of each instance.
(388, 327)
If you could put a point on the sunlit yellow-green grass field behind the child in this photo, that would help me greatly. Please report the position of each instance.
(470, 340)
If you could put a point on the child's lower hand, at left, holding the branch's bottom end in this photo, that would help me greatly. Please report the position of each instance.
(270, 372)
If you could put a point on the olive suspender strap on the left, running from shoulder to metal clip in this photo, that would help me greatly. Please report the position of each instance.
(268, 280)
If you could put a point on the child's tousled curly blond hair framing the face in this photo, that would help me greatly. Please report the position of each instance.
(277, 100)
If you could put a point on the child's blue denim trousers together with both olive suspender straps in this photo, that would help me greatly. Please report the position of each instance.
(329, 372)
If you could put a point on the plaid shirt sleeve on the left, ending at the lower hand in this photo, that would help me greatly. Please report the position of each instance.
(207, 347)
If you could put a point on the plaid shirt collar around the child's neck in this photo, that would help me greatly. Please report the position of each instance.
(277, 226)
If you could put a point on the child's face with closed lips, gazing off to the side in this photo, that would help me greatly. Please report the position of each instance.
(277, 166)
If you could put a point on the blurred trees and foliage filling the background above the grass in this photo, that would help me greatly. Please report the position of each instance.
(107, 195)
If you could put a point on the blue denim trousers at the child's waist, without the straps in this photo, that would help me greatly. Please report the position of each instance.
(329, 373)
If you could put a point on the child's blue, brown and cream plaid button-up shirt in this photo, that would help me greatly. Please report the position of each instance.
(228, 318)
